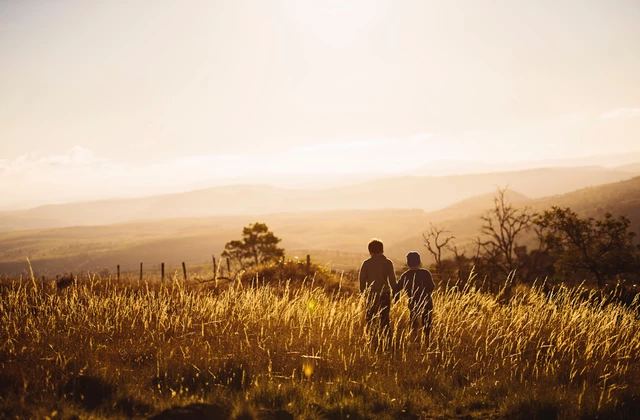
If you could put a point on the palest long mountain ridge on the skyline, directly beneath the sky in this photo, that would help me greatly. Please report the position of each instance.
(427, 193)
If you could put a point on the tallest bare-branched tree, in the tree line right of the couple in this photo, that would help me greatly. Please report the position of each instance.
(502, 226)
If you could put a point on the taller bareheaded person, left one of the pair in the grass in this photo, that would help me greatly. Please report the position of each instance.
(377, 280)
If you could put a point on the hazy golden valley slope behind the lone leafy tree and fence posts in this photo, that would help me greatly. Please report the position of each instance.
(336, 237)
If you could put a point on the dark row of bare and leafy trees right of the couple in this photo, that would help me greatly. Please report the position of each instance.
(556, 243)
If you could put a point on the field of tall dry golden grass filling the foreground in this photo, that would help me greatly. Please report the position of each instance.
(98, 349)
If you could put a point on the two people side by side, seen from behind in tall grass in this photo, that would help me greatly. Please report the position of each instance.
(377, 278)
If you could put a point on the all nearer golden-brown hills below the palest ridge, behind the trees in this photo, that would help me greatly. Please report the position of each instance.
(336, 236)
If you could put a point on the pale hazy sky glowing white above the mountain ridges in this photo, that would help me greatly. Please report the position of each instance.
(134, 97)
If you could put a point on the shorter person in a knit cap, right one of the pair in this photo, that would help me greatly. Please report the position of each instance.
(418, 284)
